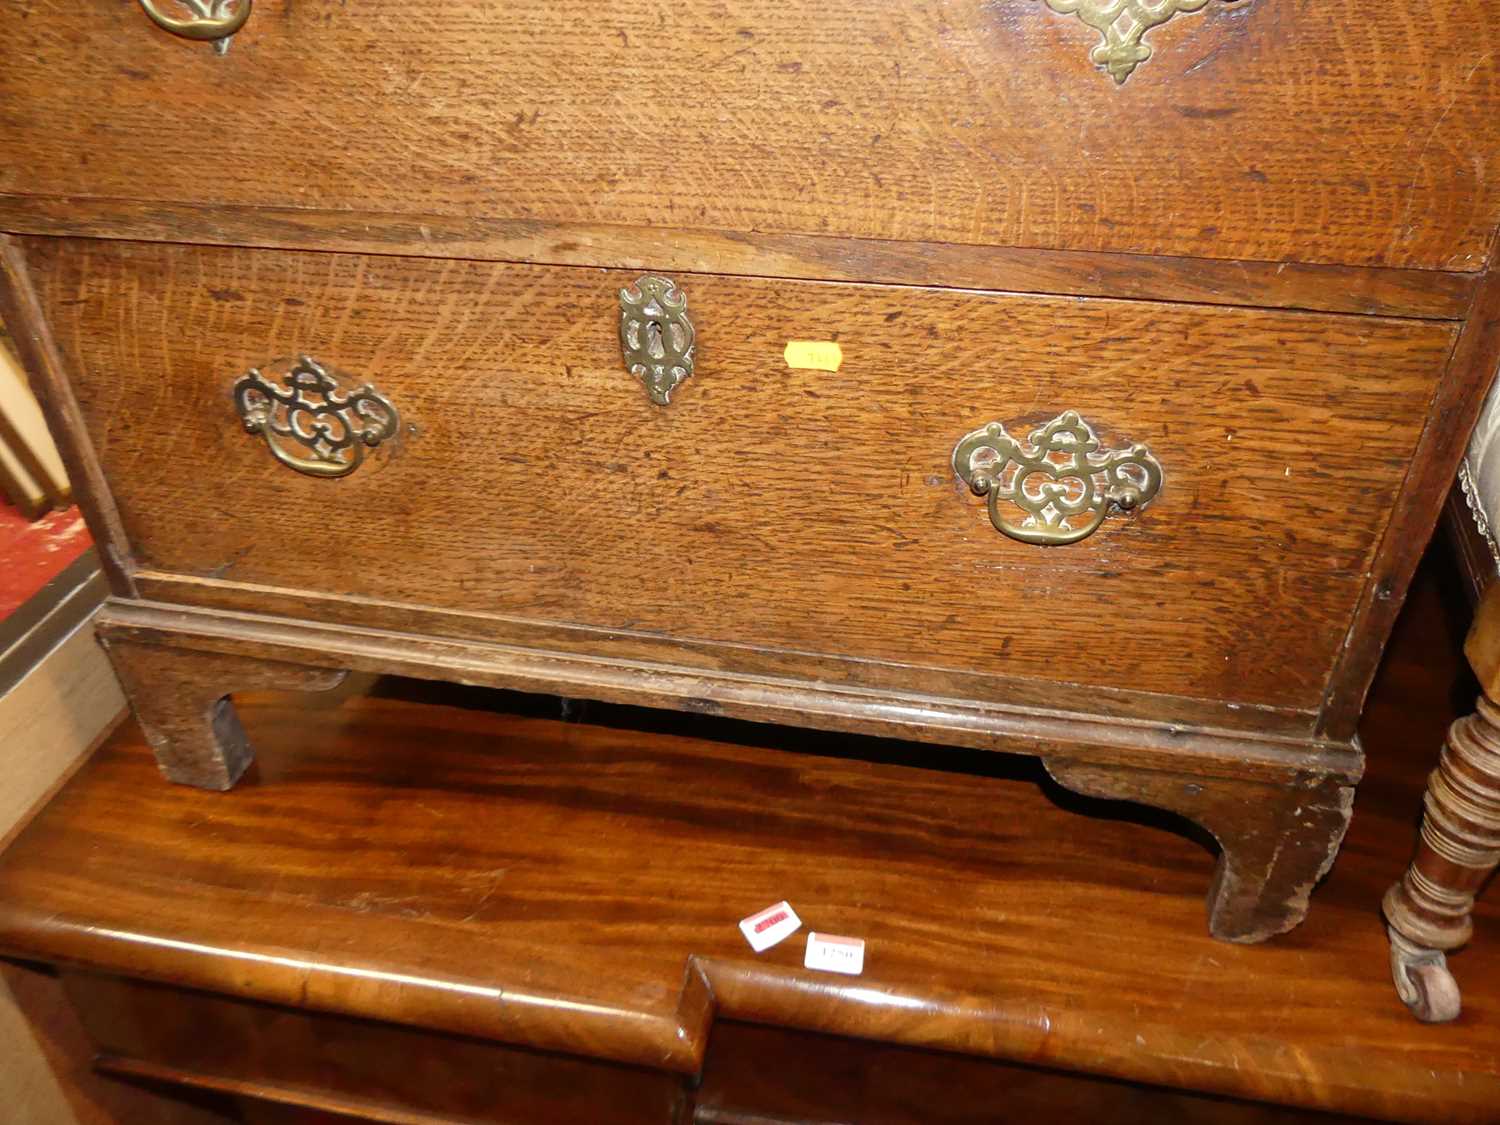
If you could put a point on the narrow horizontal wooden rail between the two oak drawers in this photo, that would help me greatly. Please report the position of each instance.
(1430, 295)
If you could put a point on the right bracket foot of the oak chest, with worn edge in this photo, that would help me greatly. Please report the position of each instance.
(1277, 838)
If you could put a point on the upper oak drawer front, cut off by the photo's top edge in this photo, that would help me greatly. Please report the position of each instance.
(1345, 131)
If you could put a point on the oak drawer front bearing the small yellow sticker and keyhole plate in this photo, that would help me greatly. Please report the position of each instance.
(764, 508)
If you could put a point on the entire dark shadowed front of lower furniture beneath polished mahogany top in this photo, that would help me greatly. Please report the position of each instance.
(311, 1069)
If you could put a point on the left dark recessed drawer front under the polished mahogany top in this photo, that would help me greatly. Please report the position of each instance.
(374, 1072)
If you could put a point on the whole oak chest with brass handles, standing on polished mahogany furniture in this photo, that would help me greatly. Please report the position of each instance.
(1078, 379)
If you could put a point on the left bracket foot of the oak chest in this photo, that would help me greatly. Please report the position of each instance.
(181, 700)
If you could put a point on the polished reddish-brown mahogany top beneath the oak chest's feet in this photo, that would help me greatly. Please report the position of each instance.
(416, 856)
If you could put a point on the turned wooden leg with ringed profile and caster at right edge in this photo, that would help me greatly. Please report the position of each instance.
(1429, 911)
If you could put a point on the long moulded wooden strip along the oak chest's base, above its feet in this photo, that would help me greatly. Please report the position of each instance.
(986, 727)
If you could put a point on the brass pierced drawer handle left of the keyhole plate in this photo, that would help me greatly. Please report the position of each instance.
(313, 416)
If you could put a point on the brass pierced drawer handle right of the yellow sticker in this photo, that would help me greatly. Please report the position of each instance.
(1058, 481)
